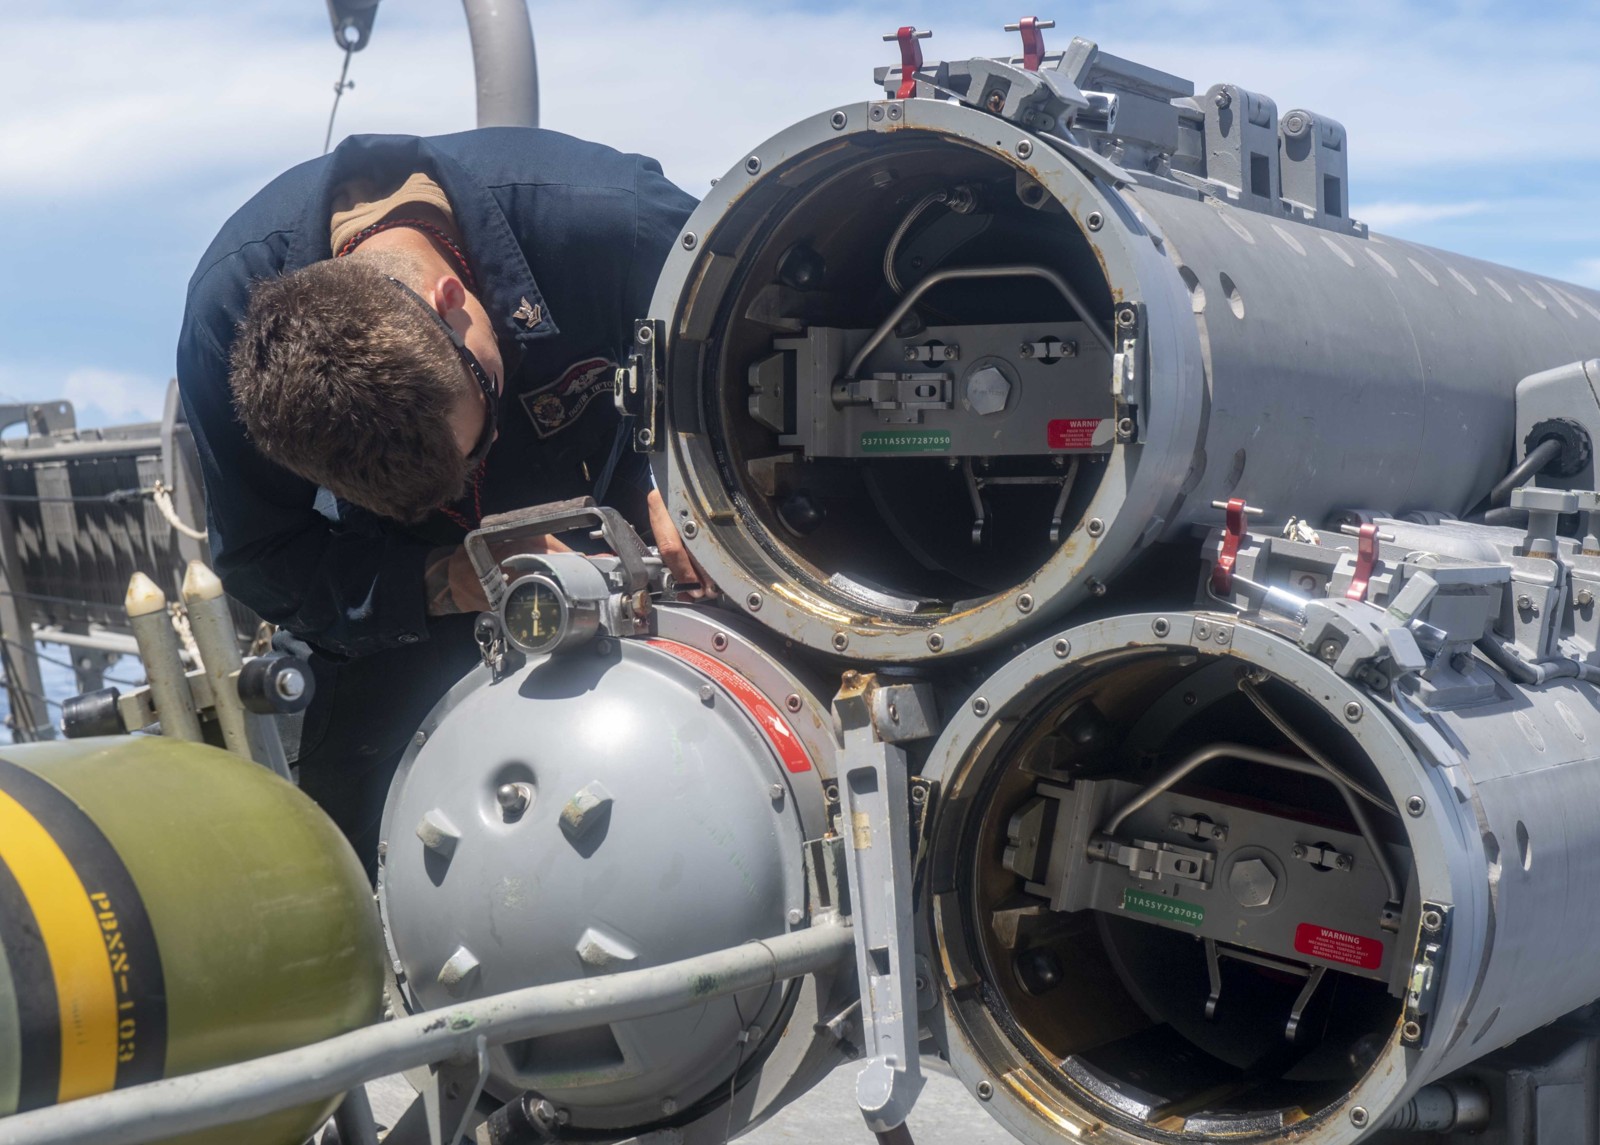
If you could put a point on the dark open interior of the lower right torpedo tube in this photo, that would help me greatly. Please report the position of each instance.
(1177, 917)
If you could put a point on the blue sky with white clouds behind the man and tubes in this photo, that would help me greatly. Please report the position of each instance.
(130, 132)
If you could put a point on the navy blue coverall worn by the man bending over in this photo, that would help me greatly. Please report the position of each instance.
(566, 239)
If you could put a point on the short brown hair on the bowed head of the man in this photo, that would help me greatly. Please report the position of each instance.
(345, 381)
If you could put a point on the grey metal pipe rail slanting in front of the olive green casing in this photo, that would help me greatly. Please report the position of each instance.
(174, 1107)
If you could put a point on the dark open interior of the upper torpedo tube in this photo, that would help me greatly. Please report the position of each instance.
(946, 463)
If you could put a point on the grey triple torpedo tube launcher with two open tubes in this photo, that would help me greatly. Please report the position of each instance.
(1158, 669)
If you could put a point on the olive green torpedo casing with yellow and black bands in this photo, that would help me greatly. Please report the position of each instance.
(167, 908)
